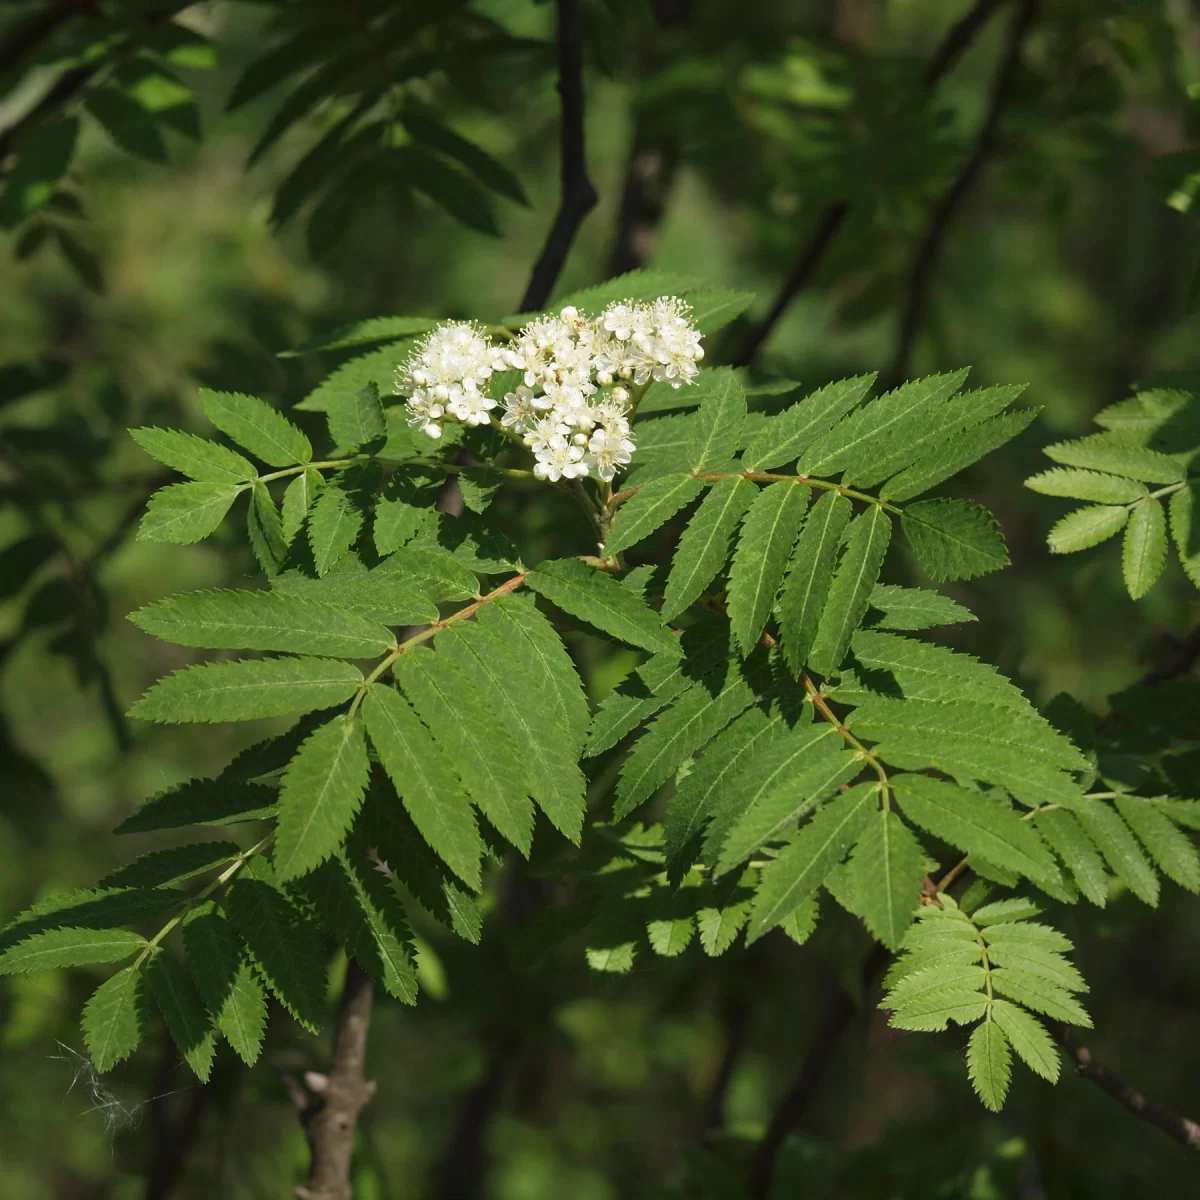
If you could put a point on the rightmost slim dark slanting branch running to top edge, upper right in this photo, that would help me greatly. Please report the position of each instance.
(931, 249)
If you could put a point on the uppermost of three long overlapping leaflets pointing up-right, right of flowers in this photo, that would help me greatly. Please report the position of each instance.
(865, 440)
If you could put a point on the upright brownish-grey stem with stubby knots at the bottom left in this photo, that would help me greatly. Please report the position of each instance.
(338, 1099)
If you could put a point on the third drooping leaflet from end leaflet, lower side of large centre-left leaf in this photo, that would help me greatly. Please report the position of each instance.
(517, 694)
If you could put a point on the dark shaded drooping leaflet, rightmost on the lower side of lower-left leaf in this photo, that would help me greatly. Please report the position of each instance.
(286, 947)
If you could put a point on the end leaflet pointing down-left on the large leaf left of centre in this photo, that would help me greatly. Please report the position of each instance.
(322, 790)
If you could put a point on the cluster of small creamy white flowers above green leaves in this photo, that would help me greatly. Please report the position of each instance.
(571, 410)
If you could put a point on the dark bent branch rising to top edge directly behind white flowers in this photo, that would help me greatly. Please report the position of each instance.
(579, 197)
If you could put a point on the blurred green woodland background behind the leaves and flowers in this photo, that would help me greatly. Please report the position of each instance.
(1071, 266)
